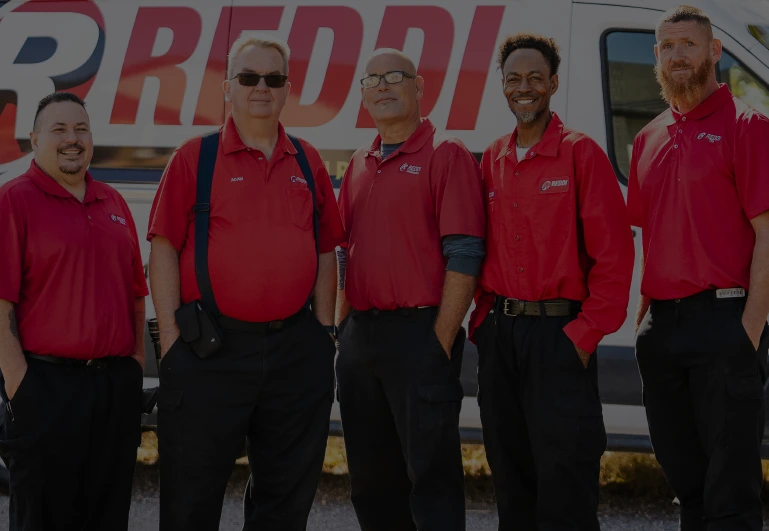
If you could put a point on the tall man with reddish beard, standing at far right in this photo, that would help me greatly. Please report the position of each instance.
(699, 189)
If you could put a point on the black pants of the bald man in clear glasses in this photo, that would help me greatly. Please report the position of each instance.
(400, 398)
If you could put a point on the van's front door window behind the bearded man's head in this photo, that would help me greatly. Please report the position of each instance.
(633, 95)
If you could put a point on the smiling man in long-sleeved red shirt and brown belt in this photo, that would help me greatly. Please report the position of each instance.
(556, 280)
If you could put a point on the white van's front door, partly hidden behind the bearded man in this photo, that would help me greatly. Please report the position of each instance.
(613, 94)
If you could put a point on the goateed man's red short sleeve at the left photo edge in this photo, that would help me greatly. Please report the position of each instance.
(12, 236)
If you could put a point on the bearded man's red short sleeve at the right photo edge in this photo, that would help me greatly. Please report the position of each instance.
(751, 166)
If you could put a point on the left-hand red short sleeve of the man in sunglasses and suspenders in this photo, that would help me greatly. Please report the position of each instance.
(170, 213)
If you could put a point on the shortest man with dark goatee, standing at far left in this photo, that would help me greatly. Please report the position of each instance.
(72, 294)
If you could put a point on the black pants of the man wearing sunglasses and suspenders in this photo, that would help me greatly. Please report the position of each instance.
(271, 391)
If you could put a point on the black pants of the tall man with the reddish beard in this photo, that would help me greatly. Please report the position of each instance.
(704, 397)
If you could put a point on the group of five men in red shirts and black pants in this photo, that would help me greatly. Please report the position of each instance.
(247, 288)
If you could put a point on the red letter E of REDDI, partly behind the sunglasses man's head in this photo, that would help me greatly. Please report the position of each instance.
(232, 22)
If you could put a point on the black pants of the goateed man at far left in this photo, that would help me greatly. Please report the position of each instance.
(69, 438)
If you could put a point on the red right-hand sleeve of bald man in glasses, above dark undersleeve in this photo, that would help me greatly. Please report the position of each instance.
(458, 193)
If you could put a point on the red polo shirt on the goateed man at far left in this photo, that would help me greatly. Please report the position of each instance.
(72, 269)
